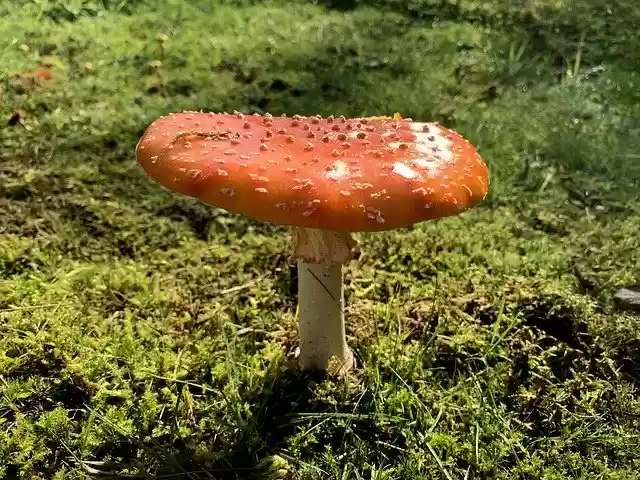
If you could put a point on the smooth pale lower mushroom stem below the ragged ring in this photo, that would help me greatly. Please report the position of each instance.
(322, 328)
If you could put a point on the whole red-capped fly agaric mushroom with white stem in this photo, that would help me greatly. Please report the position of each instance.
(323, 177)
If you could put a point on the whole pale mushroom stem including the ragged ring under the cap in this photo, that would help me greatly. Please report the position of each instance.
(320, 256)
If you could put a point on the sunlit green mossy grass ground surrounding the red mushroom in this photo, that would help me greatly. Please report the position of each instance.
(143, 335)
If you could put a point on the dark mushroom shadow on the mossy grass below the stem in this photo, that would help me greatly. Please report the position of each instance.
(281, 408)
